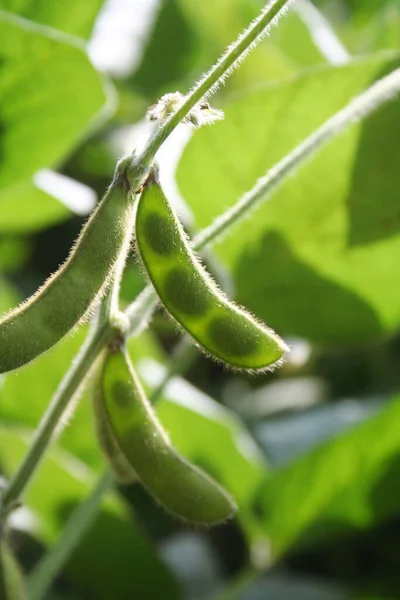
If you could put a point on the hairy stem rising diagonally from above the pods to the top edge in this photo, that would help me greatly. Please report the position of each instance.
(211, 80)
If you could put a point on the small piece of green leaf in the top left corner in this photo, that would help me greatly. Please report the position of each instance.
(69, 16)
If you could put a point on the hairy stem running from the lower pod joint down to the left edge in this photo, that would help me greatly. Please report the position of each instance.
(68, 388)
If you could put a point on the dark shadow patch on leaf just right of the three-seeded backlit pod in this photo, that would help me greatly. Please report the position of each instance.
(295, 299)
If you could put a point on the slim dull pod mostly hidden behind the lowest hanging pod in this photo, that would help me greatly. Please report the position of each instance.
(120, 466)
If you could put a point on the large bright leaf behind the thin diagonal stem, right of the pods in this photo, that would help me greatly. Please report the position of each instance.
(319, 260)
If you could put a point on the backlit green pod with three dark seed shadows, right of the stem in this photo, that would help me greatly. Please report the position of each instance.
(223, 329)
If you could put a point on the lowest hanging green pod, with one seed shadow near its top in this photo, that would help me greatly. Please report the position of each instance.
(180, 487)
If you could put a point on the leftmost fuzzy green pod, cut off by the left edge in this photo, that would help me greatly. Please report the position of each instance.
(69, 294)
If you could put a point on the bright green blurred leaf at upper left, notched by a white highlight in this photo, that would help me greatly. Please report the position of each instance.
(49, 96)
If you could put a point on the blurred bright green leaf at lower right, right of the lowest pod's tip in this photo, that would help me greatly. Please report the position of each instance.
(345, 485)
